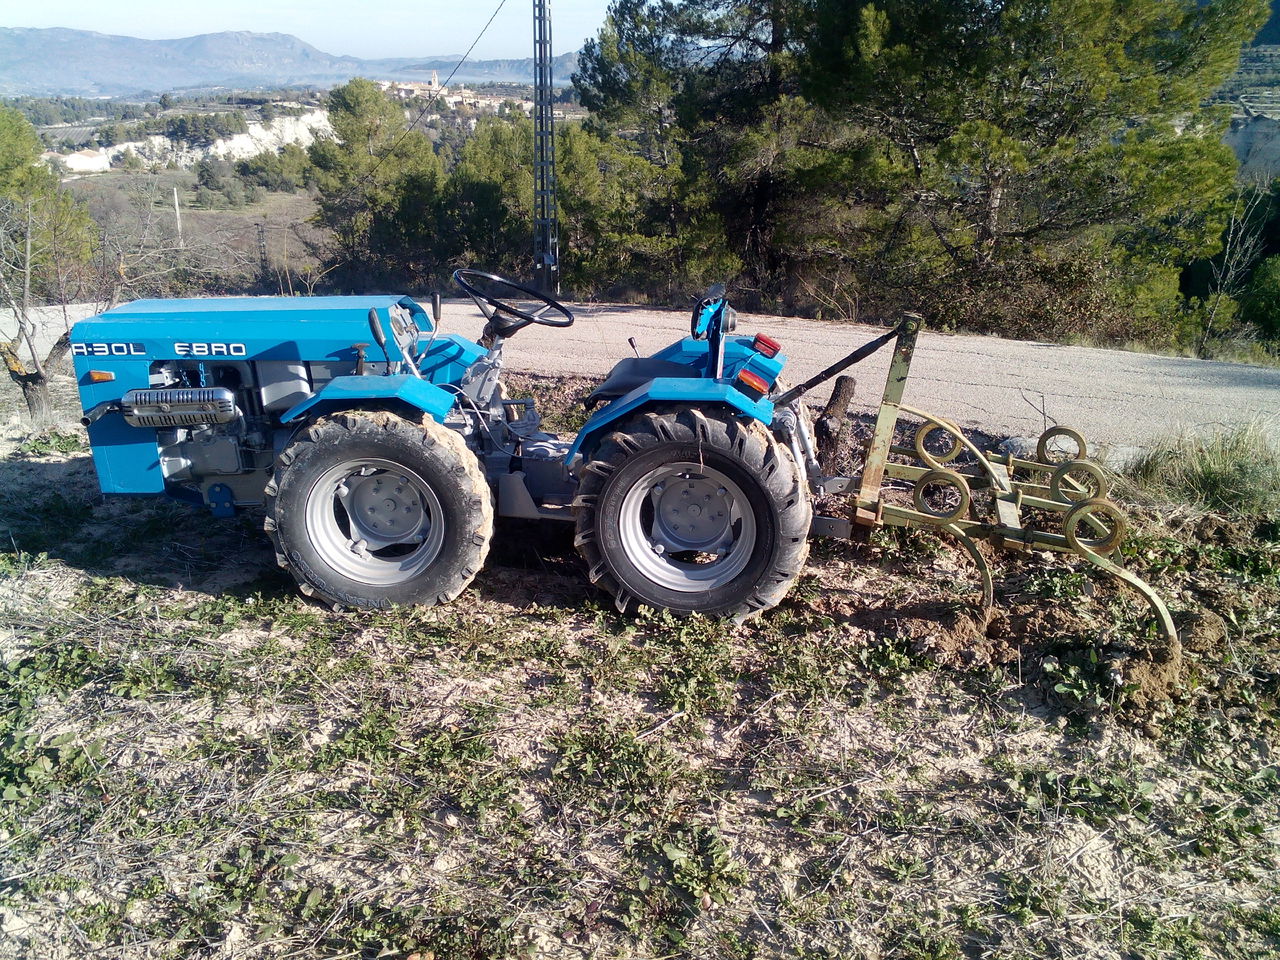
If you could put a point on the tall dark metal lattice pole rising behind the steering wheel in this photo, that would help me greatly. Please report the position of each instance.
(546, 221)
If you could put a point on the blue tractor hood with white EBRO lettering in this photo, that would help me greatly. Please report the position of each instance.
(249, 328)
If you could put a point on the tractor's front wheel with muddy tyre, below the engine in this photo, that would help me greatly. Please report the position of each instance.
(369, 510)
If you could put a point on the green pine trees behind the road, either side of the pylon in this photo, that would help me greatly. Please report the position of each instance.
(1060, 179)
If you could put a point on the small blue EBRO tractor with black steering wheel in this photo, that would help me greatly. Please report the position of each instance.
(382, 449)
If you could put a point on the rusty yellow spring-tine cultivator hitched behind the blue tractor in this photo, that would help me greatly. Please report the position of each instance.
(925, 473)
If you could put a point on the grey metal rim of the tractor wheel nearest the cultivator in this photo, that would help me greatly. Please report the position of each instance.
(688, 528)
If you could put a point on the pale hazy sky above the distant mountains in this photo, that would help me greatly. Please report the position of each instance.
(356, 28)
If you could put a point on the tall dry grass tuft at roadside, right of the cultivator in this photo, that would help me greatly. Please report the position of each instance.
(1235, 472)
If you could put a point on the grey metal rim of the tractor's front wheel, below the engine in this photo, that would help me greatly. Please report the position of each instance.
(374, 522)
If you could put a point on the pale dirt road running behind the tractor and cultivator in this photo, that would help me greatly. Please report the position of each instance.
(1008, 388)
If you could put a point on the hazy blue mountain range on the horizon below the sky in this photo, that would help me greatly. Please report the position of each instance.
(81, 63)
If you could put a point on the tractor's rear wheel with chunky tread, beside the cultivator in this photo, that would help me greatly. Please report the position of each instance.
(693, 511)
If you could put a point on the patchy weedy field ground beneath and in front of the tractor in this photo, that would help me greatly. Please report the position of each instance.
(195, 761)
